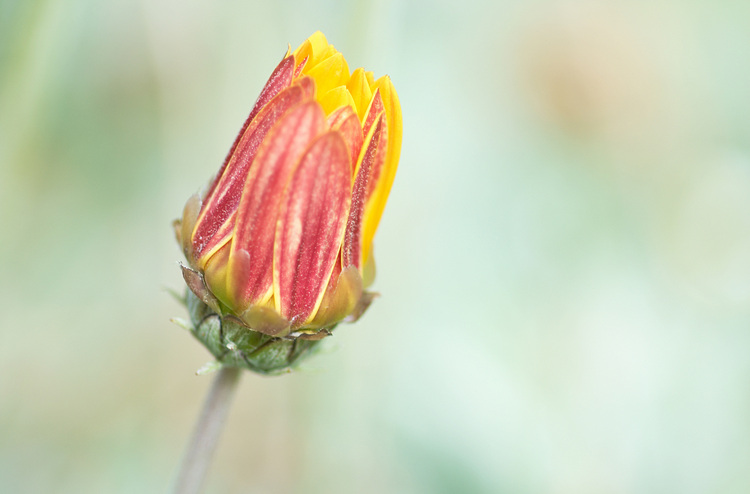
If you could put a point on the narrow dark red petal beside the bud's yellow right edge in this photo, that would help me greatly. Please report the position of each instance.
(371, 161)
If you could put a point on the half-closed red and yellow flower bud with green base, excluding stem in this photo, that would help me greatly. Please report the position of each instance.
(279, 246)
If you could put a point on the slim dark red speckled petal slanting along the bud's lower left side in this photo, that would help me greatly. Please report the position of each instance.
(219, 207)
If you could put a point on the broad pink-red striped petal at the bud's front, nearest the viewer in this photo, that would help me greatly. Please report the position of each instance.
(311, 227)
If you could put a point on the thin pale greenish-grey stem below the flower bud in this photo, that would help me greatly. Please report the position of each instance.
(206, 433)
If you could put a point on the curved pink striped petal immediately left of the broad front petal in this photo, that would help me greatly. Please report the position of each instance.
(263, 192)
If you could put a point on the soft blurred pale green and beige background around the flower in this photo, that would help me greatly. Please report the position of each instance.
(564, 263)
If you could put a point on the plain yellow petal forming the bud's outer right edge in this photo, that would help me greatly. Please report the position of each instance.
(376, 203)
